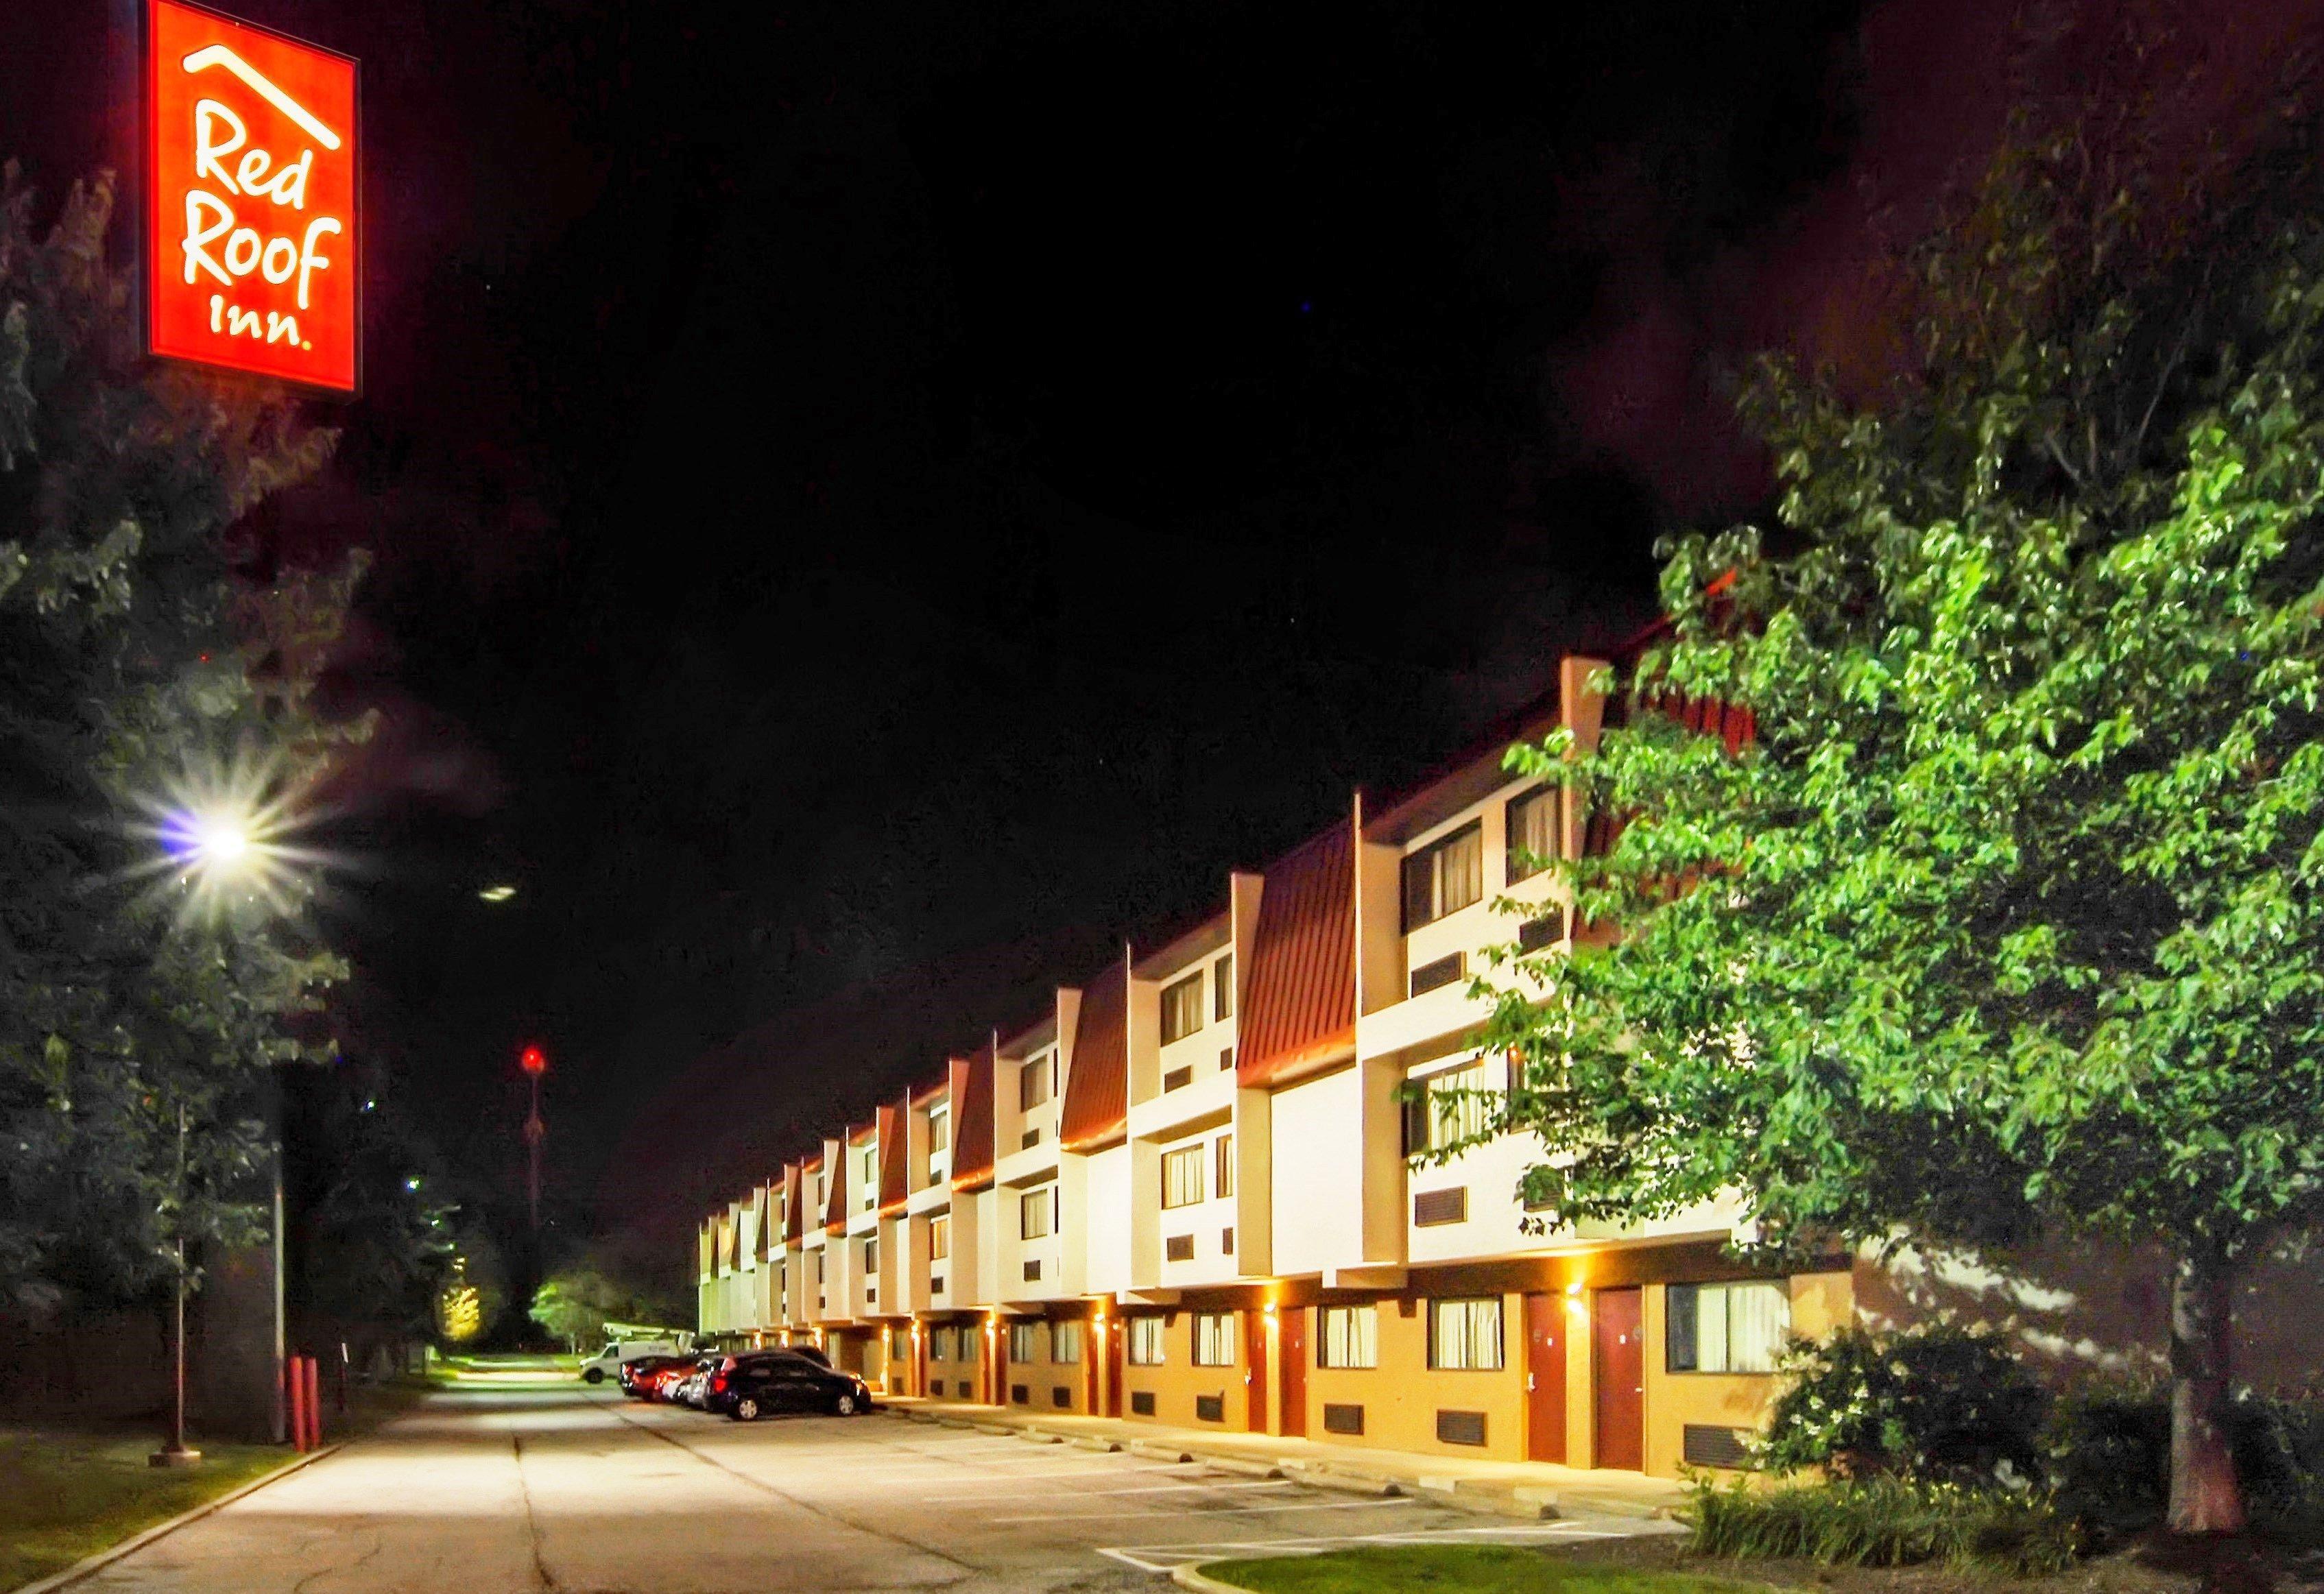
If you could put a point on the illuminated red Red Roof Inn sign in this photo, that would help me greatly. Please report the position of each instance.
(252, 227)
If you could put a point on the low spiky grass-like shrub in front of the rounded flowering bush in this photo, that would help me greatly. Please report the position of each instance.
(1886, 1523)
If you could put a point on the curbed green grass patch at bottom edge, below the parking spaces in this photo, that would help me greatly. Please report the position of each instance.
(1470, 1570)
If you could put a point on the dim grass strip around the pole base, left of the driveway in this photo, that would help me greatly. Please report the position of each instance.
(66, 1495)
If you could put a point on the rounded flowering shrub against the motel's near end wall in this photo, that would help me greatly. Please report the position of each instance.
(1928, 1402)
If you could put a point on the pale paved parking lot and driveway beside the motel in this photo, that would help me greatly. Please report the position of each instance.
(573, 1493)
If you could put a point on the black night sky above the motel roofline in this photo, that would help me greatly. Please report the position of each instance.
(877, 503)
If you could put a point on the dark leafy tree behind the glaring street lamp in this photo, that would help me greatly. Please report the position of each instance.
(143, 670)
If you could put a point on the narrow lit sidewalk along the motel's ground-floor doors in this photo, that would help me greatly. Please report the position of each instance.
(1500, 1488)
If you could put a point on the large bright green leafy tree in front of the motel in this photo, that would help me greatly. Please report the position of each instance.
(2007, 921)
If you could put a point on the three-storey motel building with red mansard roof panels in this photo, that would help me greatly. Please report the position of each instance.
(1186, 1193)
